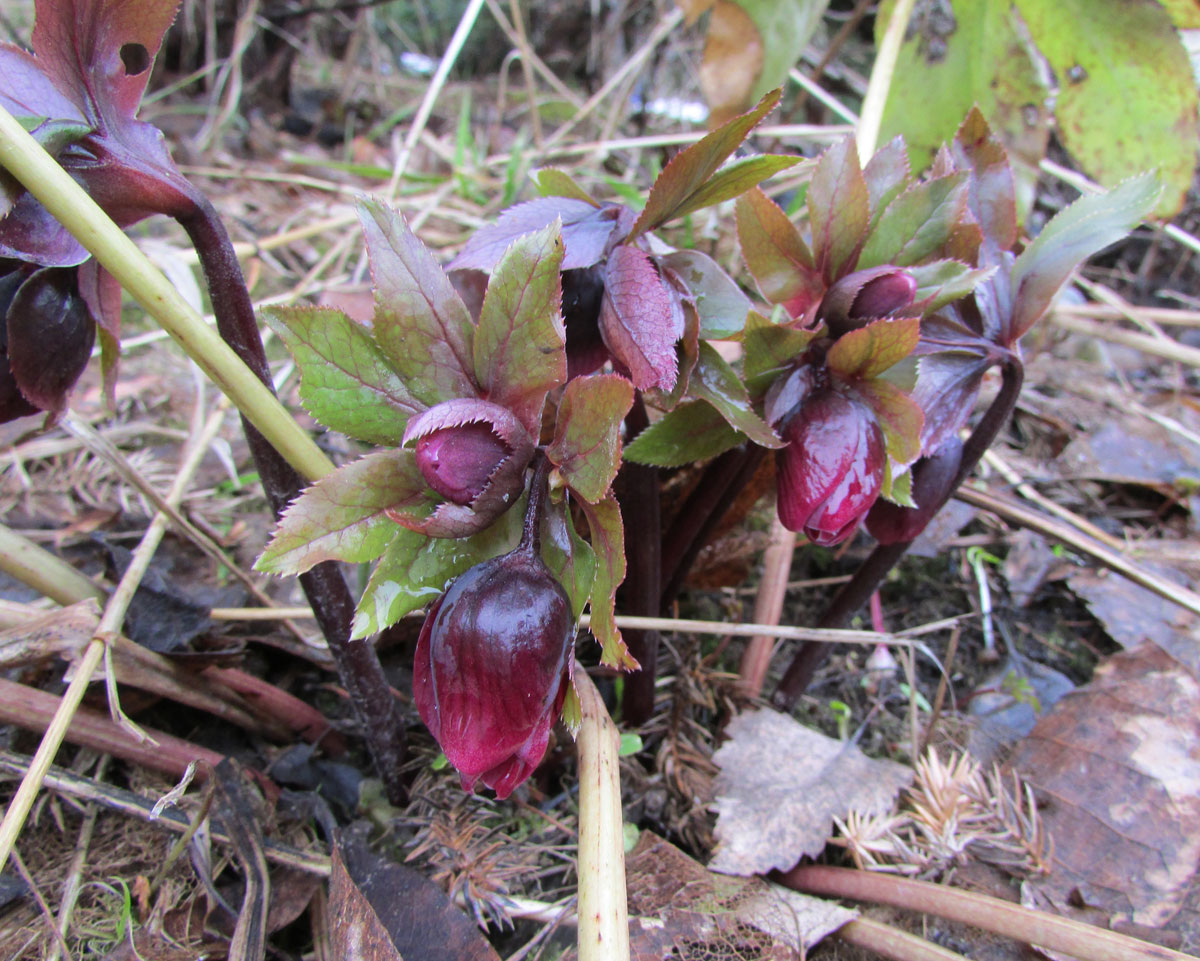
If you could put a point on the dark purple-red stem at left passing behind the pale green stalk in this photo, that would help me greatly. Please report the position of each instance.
(358, 665)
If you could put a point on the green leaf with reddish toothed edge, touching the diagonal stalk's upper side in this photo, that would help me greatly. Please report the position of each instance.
(346, 382)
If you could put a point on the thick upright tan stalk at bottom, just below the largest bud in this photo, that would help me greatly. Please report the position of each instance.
(604, 912)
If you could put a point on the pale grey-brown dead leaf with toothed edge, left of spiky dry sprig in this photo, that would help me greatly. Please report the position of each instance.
(781, 788)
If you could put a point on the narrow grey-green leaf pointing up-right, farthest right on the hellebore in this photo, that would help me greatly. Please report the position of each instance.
(1090, 225)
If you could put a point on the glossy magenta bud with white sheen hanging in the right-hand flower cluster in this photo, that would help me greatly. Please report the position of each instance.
(832, 470)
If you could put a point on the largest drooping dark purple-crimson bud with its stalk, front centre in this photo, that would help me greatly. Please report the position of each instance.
(494, 664)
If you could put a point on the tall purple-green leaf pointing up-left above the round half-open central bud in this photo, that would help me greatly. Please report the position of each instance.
(421, 322)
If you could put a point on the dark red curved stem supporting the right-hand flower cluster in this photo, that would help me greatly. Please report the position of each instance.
(884, 558)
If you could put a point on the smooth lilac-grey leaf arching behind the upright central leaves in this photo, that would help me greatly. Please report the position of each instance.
(587, 232)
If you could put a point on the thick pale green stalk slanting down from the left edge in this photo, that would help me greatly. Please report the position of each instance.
(71, 206)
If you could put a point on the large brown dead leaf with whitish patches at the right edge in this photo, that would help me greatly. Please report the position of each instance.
(1119, 764)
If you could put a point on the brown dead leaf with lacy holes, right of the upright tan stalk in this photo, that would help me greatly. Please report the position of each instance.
(701, 910)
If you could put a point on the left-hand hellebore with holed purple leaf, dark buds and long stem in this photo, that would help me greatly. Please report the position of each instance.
(79, 93)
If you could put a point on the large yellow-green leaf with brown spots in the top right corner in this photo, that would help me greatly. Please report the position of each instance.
(1127, 98)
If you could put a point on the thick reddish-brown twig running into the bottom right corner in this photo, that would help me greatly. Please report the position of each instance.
(981, 911)
